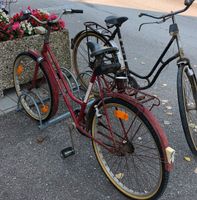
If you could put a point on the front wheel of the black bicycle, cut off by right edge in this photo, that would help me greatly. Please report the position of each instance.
(188, 121)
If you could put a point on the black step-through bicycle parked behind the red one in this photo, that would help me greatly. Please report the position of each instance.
(186, 79)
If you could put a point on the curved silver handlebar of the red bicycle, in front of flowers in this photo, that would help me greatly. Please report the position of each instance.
(27, 15)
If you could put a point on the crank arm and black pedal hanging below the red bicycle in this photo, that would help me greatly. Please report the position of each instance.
(69, 151)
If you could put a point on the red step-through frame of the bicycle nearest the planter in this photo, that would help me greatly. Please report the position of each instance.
(53, 67)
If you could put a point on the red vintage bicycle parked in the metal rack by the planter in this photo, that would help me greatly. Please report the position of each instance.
(129, 143)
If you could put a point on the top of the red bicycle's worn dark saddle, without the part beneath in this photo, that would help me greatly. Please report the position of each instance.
(97, 50)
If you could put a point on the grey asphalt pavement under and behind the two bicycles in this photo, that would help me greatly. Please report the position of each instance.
(31, 169)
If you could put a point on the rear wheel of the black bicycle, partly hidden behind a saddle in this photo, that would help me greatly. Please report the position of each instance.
(81, 56)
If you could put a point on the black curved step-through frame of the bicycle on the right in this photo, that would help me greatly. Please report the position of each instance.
(110, 36)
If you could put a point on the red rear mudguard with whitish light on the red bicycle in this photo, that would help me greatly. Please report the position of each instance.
(148, 114)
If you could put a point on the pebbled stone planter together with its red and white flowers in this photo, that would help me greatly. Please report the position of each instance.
(17, 36)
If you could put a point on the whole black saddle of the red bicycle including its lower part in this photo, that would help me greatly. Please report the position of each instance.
(100, 67)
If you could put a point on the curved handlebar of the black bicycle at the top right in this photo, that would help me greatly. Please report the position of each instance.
(188, 3)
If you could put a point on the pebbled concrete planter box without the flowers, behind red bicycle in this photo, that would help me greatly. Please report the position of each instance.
(10, 49)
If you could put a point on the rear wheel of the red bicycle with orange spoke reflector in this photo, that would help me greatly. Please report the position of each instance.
(129, 150)
